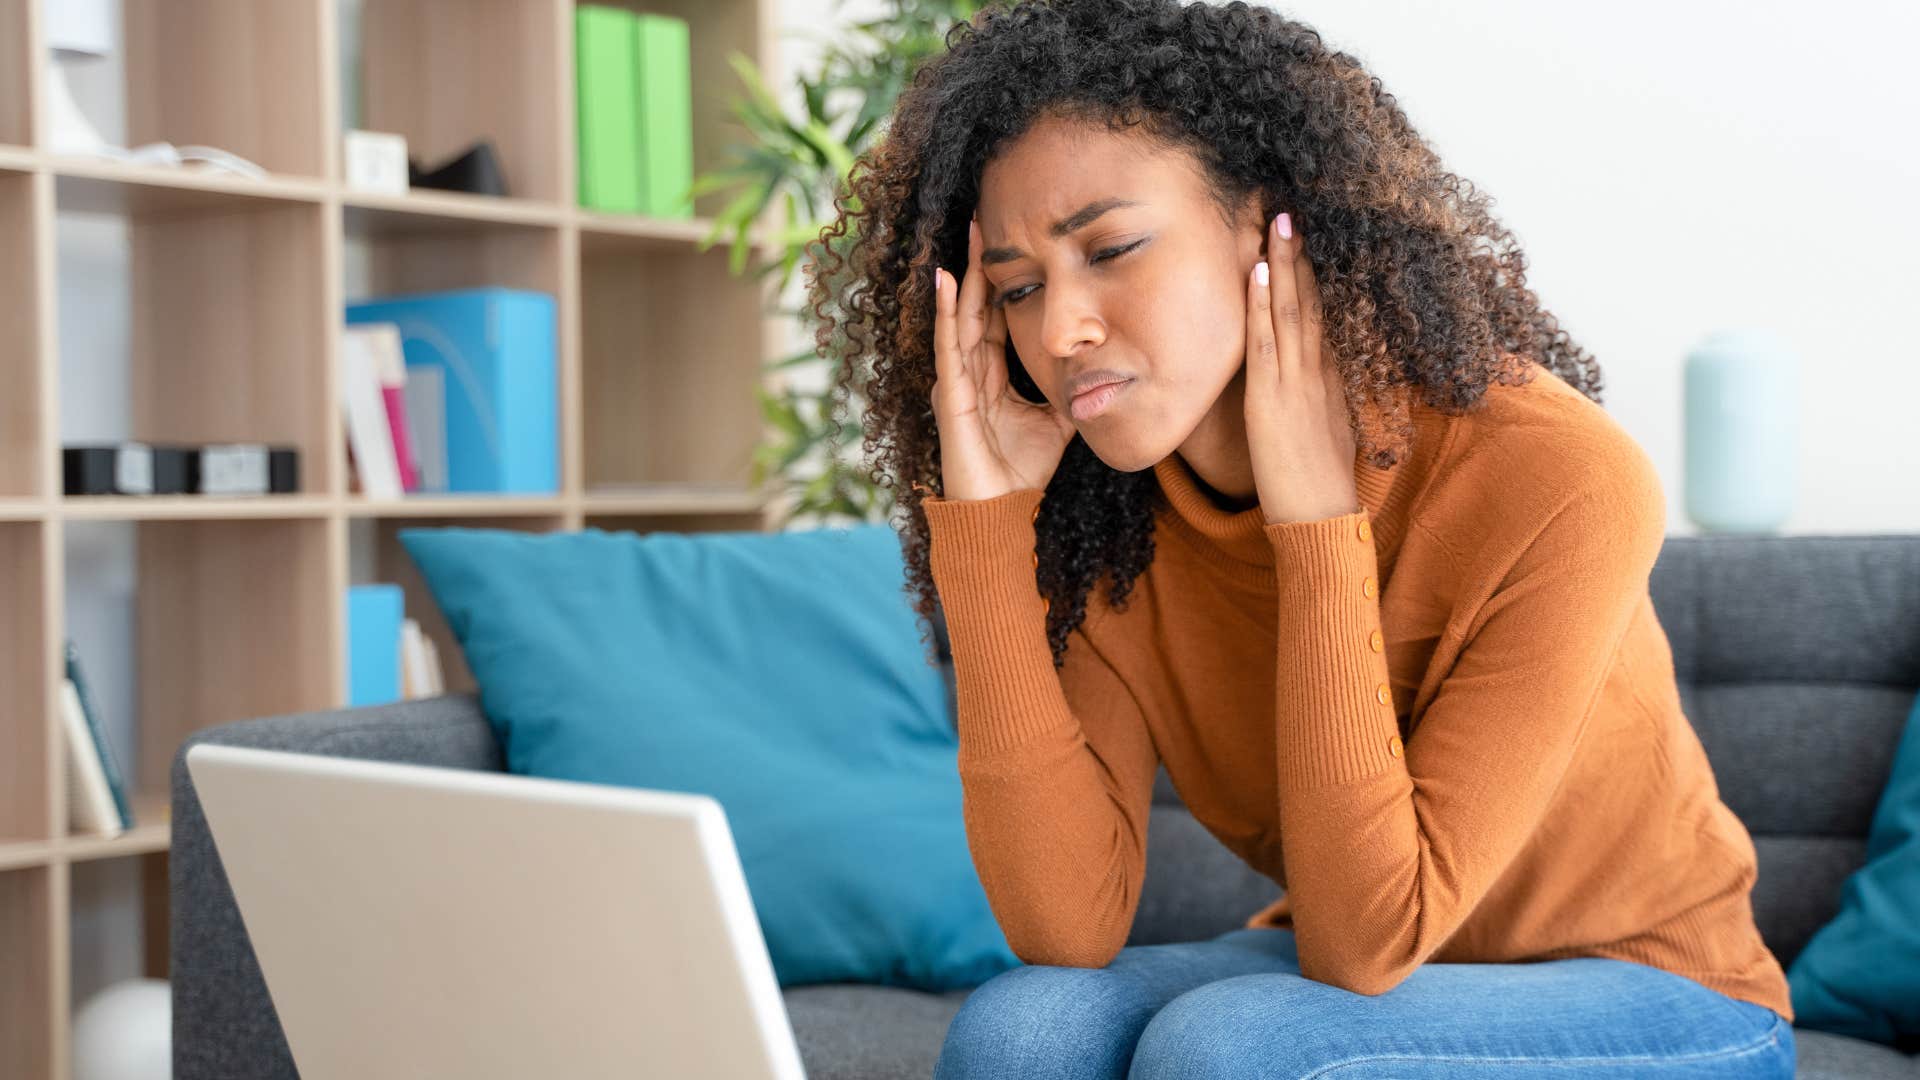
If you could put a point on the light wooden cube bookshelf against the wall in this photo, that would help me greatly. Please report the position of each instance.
(235, 301)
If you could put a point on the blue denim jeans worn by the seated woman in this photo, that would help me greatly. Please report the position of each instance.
(1239, 1008)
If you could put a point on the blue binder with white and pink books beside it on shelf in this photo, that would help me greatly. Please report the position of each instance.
(452, 393)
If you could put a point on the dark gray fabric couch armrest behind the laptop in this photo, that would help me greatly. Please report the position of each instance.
(224, 1023)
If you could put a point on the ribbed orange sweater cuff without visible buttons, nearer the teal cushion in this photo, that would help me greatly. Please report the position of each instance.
(1005, 681)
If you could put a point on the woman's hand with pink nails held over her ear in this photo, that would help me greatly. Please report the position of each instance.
(1297, 426)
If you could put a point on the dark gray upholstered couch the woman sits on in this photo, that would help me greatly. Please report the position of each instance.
(1798, 660)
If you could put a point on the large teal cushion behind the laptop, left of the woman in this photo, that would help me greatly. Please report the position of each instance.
(779, 674)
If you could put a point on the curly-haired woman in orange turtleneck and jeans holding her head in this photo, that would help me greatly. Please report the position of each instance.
(1234, 441)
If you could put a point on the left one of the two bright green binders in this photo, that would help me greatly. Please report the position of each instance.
(608, 107)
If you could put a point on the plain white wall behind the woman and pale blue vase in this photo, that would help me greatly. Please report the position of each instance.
(1679, 168)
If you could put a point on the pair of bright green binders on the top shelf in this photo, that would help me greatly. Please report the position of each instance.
(635, 103)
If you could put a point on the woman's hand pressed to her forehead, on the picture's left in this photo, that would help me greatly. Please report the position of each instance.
(992, 441)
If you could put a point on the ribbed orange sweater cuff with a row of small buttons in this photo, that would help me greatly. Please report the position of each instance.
(1335, 710)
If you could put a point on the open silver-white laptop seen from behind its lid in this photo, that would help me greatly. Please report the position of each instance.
(418, 921)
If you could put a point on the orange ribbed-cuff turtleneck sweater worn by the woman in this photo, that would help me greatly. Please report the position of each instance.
(1447, 725)
